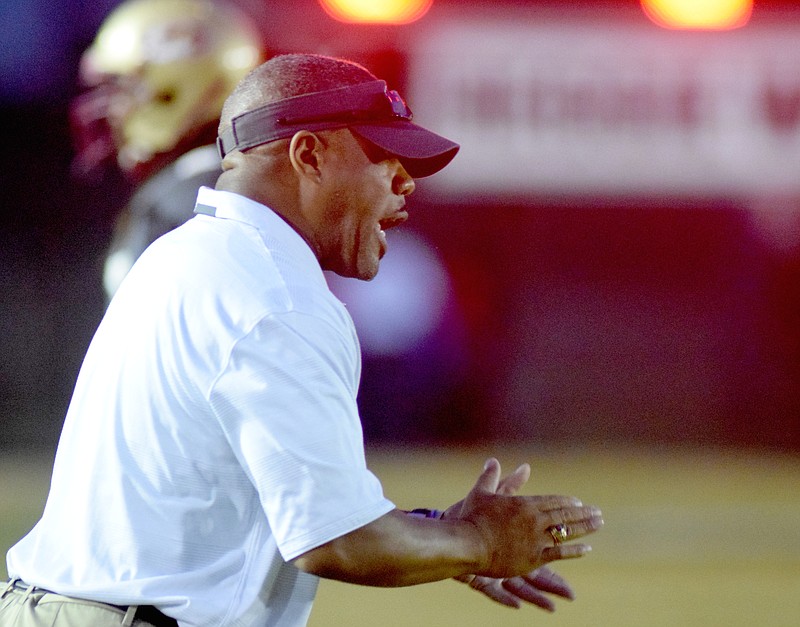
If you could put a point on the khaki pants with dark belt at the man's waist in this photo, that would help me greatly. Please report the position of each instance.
(27, 606)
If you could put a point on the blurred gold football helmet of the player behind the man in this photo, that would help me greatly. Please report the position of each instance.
(157, 73)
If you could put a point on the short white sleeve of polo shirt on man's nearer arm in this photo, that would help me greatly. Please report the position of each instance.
(287, 403)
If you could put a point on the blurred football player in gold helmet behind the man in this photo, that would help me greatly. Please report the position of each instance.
(155, 78)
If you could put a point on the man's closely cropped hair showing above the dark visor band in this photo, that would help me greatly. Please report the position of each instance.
(288, 75)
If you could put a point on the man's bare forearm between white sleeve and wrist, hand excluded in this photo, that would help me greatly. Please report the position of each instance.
(399, 550)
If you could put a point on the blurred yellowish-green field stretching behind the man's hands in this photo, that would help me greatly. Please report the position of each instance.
(692, 538)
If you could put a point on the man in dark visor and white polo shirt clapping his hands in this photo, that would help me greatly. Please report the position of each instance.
(211, 465)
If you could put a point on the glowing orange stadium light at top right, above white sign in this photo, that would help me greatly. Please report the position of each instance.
(699, 14)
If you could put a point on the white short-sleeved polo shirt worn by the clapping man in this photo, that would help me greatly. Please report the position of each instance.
(213, 434)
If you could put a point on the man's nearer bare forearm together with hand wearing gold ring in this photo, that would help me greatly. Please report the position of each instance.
(489, 534)
